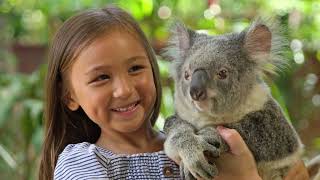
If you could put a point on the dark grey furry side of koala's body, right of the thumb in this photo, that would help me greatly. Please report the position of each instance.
(268, 134)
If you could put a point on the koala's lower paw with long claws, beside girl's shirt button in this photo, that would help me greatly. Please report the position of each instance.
(196, 166)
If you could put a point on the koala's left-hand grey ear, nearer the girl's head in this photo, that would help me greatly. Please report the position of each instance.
(179, 42)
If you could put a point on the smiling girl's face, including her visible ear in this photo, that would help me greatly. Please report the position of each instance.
(112, 81)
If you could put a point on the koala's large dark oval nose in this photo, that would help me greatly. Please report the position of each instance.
(198, 83)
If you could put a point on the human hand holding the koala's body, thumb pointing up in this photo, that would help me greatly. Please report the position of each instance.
(238, 163)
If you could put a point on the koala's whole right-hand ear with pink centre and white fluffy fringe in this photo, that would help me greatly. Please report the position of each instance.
(266, 44)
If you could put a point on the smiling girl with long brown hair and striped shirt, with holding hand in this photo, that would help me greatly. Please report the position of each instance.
(102, 99)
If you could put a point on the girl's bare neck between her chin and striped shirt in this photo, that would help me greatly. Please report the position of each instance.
(143, 140)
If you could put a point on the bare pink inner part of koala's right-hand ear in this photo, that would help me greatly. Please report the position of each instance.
(257, 41)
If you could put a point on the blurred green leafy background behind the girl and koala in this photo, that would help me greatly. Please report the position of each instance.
(27, 26)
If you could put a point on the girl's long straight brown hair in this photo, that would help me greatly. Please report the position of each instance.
(63, 126)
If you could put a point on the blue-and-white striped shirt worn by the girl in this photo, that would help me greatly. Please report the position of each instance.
(85, 161)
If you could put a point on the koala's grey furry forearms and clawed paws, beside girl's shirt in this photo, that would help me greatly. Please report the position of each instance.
(191, 148)
